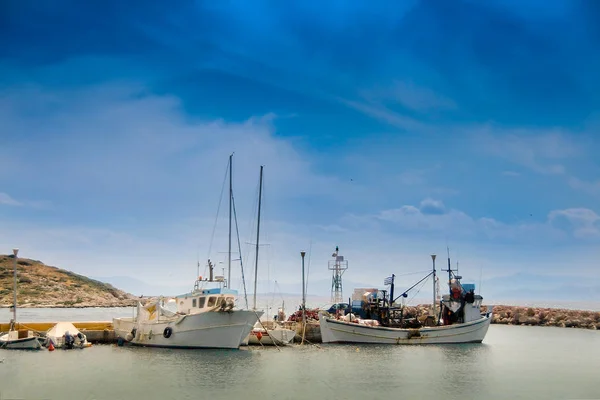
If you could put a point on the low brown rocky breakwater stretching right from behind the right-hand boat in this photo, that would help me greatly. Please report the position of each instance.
(533, 316)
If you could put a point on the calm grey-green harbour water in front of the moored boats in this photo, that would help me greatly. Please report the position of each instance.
(514, 362)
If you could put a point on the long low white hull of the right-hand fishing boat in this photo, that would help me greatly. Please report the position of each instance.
(335, 331)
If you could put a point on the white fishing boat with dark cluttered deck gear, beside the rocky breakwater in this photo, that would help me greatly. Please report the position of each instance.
(460, 319)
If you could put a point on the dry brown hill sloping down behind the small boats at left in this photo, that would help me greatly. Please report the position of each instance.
(41, 285)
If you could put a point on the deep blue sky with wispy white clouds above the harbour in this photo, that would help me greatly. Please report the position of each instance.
(389, 129)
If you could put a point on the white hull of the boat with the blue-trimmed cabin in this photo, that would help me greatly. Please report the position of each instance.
(225, 330)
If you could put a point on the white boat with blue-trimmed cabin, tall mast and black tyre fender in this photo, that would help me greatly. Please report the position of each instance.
(206, 317)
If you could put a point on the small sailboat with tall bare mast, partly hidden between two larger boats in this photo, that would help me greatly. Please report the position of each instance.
(267, 333)
